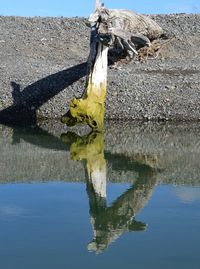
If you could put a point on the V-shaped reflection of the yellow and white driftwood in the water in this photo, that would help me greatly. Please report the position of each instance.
(109, 223)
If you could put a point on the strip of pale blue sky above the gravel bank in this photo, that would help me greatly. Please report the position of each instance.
(72, 8)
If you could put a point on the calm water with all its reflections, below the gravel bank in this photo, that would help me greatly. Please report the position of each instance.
(127, 199)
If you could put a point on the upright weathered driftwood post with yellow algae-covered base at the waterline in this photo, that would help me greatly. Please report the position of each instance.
(90, 108)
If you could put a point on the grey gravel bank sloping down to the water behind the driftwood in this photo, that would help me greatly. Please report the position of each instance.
(42, 64)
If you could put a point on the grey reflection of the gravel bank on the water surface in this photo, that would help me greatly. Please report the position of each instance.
(35, 154)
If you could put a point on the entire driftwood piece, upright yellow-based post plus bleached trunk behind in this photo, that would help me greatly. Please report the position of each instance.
(119, 29)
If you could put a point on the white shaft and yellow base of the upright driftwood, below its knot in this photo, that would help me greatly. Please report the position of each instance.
(91, 107)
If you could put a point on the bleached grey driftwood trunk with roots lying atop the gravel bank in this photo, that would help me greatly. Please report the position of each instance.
(129, 30)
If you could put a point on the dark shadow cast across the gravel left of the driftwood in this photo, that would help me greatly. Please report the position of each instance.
(27, 101)
